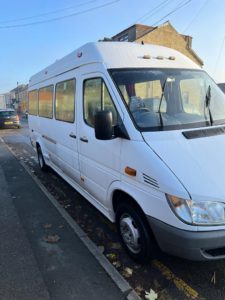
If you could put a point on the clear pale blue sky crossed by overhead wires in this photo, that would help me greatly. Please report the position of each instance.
(34, 34)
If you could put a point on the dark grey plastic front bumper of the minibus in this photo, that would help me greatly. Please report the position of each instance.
(192, 245)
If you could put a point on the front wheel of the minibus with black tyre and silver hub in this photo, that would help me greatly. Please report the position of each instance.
(134, 233)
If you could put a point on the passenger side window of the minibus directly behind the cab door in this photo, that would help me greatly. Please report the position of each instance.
(65, 101)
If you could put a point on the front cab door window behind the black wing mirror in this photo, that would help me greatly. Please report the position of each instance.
(96, 98)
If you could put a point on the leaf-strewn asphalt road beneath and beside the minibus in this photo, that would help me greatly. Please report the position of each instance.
(169, 277)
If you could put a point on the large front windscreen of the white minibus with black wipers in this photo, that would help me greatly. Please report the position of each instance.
(166, 99)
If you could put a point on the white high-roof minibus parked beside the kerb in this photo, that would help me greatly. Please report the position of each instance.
(139, 131)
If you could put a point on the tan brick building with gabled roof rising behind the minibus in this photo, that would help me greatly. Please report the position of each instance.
(164, 35)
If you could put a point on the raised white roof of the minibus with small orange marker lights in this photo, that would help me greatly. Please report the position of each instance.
(117, 55)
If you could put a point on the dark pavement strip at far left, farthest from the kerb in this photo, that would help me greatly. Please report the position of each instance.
(20, 277)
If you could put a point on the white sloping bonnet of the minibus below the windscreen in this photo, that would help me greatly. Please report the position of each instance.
(199, 163)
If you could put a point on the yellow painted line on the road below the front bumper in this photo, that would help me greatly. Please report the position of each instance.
(179, 283)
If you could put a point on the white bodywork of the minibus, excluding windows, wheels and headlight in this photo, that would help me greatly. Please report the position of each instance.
(165, 161)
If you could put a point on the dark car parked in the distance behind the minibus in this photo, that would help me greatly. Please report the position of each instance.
(9, 118)
